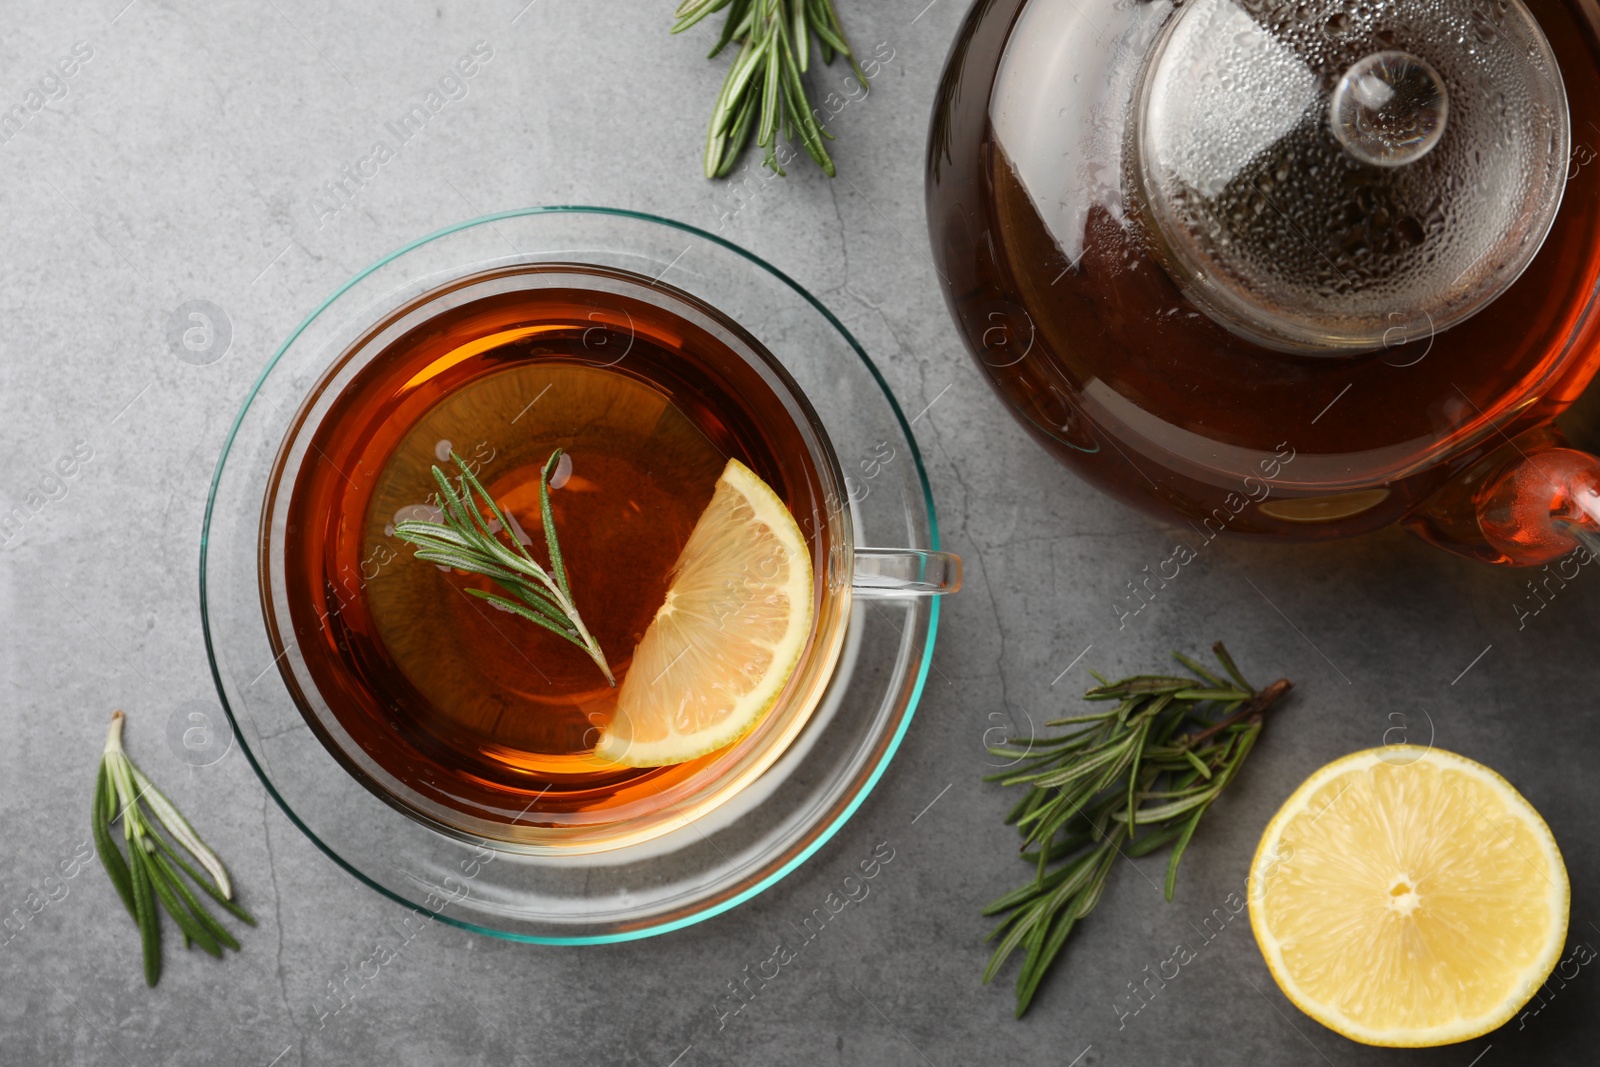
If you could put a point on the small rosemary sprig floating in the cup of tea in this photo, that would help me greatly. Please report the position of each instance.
(468, 541)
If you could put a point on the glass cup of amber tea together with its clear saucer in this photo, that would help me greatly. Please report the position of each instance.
(401, 721)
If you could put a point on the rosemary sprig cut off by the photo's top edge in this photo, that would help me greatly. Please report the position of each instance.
(764, 90)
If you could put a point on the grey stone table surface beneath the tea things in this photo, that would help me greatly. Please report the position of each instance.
(190, 156)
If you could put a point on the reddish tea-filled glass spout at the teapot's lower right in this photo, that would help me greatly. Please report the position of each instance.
(1530, 503)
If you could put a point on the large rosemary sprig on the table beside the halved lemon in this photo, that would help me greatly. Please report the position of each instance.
(1126, 781)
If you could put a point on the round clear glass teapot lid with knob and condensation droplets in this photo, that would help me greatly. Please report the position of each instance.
(1330, 177)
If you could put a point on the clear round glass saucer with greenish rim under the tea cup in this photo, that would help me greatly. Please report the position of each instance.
(713, 863)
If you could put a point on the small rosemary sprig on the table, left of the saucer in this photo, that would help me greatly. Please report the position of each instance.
(150, 876)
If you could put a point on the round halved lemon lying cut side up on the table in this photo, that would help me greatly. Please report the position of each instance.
(1409, 897)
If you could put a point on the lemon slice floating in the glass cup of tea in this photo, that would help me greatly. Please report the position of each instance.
(729, 636)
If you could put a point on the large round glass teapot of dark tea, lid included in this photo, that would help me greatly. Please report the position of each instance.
(1289, 270)
